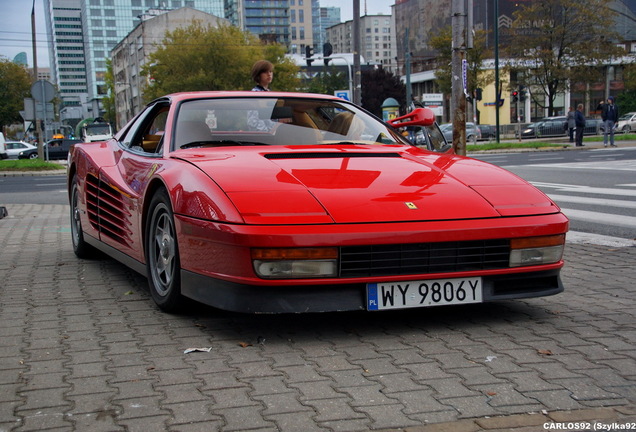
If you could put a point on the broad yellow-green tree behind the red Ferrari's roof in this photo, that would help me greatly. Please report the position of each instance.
(213, 58)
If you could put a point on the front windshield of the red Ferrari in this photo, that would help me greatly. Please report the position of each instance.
(278, 121)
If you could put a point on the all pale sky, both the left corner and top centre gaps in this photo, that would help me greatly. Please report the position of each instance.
(15, 24)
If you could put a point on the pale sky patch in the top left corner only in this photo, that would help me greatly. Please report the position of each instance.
(15, 30)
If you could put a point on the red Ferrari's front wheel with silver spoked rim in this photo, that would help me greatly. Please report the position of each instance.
(162, 254)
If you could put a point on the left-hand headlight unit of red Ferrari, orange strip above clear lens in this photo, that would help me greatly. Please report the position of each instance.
(295, 263)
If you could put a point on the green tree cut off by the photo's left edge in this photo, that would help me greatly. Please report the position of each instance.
(15, 85)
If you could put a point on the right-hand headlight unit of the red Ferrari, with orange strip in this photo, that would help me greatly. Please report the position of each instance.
(536, 250)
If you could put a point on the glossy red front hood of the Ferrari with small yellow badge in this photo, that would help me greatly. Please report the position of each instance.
(364, 184)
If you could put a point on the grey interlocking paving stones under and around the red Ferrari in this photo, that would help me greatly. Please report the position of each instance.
(83, 348)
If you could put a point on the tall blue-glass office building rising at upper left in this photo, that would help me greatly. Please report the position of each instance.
(83, 32)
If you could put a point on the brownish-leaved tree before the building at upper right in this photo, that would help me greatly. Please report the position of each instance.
(559, 42)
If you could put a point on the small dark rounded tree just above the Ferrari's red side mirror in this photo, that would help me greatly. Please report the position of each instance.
(377, 86)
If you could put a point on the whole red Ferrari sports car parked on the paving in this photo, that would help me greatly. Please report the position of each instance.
(290, 202)
